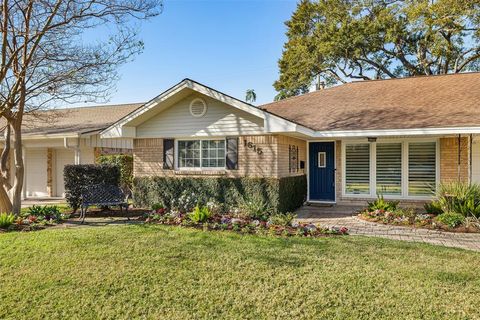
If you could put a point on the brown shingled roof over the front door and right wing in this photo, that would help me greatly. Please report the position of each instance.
(441, 101)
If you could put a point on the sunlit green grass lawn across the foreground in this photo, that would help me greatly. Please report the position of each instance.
(158, 272)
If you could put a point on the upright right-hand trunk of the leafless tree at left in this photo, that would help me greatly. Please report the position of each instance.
(19, 167)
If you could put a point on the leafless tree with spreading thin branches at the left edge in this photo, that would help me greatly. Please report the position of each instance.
(47, 59)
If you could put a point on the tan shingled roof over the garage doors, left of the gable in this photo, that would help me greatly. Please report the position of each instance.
(75, 120)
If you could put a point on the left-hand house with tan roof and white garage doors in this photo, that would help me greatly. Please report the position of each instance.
(55, 138)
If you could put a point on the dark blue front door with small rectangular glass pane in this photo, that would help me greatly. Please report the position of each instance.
(321, 171)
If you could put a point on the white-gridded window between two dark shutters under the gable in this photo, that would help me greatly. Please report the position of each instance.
(208, 154)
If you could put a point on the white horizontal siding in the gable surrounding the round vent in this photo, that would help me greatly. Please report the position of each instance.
(220, 119)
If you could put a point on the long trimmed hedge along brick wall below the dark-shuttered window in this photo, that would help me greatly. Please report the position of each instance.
(283, 195)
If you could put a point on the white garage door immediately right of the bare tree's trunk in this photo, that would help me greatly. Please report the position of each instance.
(36, 173)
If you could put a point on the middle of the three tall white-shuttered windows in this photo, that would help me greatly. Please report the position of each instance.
(389, 168)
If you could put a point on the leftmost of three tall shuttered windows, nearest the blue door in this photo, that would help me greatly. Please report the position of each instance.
(357, 168)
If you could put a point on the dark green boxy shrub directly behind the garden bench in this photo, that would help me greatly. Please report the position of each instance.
(80, 176)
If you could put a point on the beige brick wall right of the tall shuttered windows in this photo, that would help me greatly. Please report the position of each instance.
(449, 159)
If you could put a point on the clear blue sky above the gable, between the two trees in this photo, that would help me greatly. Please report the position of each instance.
(229, 45)
